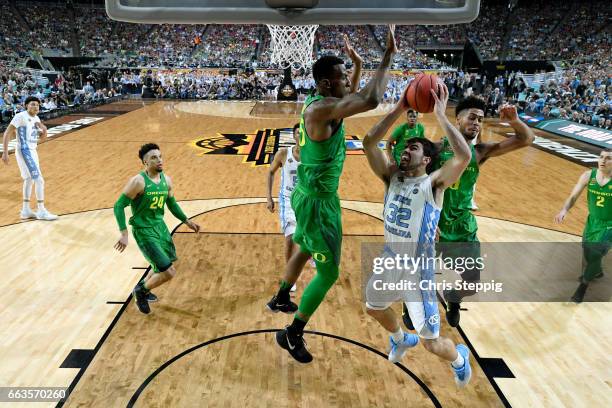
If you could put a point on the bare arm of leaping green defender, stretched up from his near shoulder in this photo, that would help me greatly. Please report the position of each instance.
(366, 99)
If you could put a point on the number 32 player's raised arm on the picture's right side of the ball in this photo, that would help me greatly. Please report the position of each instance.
(450, 172)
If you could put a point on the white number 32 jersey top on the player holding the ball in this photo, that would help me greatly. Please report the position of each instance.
(411, 214)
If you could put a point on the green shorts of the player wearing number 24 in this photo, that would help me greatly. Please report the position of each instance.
(156, 245)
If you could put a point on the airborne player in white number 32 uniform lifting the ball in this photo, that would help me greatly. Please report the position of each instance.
(413, 202)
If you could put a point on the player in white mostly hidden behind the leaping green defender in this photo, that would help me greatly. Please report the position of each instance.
(287, 160)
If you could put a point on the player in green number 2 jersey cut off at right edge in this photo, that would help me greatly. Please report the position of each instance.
(597, 234)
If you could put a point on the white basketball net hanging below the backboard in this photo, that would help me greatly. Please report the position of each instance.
(292, 45)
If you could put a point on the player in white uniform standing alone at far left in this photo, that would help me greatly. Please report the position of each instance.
(27, 127)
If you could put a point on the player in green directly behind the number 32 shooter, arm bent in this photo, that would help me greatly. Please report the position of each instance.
(457, 226)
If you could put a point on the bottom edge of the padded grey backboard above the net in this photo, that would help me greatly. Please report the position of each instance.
(294, 12)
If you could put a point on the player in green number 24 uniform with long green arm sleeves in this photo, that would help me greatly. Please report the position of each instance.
(147, 193)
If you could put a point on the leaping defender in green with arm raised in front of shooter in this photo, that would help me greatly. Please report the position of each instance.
(315, 198)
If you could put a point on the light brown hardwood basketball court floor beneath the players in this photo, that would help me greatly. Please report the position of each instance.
(60, 276)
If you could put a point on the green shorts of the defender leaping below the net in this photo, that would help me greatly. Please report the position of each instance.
(319, 225)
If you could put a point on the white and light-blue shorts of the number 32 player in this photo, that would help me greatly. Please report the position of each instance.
(422, 304)
